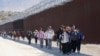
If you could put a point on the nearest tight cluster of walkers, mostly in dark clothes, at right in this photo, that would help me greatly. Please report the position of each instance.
(69, 39)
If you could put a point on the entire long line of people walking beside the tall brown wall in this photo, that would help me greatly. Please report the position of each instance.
(68, 38)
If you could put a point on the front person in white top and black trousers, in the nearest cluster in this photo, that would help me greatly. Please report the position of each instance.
(65, 41)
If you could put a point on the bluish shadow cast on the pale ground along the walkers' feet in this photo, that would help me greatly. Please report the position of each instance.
(54, 51)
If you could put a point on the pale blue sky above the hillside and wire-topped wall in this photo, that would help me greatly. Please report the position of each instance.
(17, 5)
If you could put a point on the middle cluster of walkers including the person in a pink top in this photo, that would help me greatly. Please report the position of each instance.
(42, 36)
